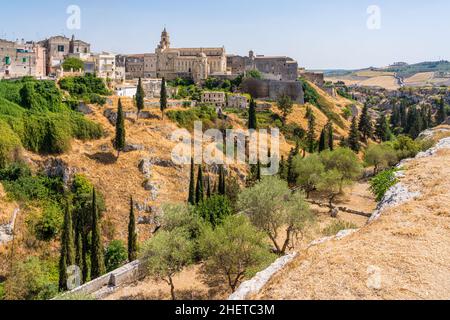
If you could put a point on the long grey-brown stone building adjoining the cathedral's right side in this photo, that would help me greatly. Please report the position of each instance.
(279, 68)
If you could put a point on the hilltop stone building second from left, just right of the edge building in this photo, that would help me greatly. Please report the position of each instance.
(59, 47)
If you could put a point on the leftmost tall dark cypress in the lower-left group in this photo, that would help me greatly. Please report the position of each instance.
(67, 257)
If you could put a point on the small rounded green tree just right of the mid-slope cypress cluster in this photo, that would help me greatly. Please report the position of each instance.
(309, 171)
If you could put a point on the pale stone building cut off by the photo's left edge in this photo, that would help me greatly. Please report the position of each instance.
(19, 59)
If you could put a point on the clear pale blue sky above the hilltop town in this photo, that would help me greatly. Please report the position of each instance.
(320, 34)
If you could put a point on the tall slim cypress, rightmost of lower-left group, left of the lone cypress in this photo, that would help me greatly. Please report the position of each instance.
(97, 259)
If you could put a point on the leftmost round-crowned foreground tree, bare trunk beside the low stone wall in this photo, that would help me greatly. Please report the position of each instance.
(167, 253)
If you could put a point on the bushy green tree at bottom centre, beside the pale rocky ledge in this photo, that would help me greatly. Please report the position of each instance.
(233, 251)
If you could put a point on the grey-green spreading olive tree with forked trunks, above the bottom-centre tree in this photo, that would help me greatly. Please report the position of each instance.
(273, 208)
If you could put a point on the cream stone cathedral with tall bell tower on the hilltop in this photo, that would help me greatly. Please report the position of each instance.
(195, 63)
